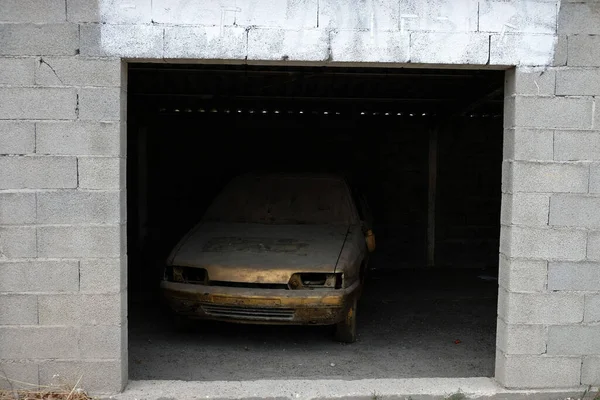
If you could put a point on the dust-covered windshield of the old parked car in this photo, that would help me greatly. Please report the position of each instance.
(283, 200)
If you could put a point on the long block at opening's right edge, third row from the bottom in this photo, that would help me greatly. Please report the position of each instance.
(540, 308)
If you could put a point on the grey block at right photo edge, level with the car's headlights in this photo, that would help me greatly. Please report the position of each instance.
(573, 276)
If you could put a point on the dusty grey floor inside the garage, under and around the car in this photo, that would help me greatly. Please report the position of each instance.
(411, 324)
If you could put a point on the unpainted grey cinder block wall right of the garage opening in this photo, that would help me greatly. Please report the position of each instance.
(549, 299)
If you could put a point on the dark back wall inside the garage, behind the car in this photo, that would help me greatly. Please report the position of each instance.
(186, 163)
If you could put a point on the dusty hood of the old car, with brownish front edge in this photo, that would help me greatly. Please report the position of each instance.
(259, 253)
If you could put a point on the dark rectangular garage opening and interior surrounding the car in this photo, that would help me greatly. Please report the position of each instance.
(423, 146)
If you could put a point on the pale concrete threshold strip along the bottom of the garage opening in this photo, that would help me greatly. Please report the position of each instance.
(364, 389)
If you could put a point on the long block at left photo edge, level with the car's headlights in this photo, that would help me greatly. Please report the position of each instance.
(39, 276)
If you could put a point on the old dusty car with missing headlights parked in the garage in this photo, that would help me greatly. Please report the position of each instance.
(275, 249)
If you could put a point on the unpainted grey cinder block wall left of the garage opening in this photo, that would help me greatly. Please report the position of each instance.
(62, 203)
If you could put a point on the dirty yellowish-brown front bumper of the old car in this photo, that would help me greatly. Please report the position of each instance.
(250, 305)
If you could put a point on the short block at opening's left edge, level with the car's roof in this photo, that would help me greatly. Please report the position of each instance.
(101, 173)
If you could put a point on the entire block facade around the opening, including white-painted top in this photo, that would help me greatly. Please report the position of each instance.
(62, 131)
